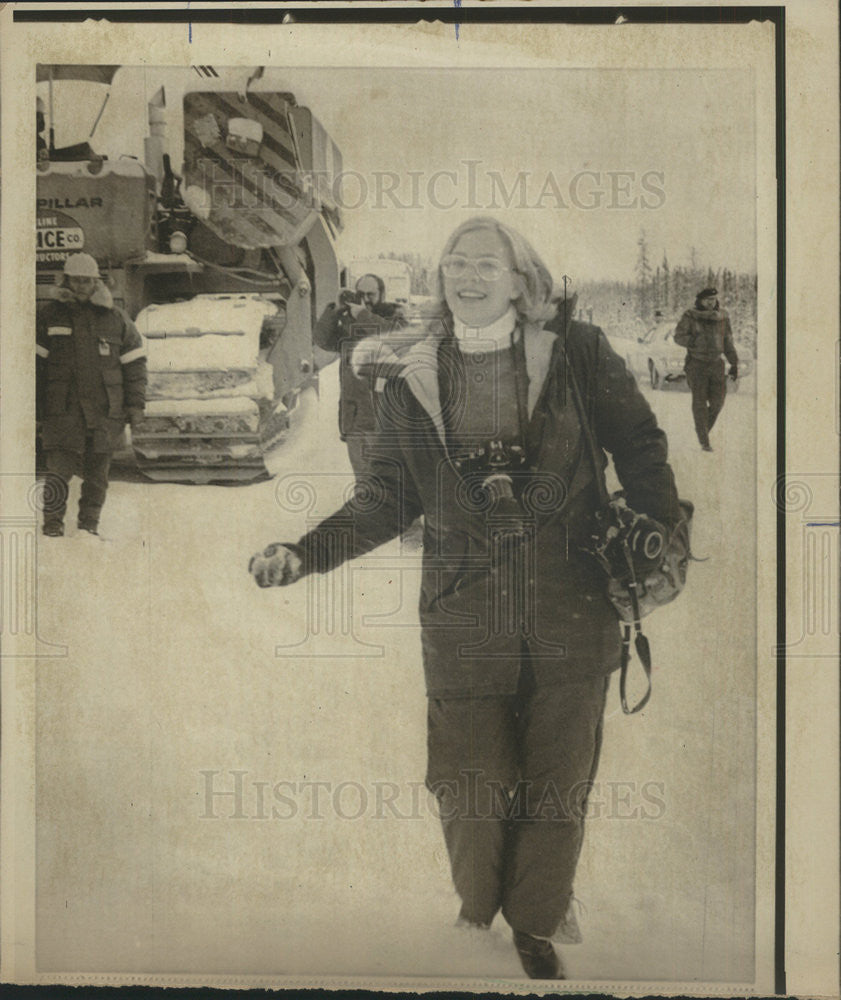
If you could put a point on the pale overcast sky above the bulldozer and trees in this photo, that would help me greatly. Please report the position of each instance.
(586, 159)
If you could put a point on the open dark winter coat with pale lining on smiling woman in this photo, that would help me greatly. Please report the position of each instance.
(471, 637)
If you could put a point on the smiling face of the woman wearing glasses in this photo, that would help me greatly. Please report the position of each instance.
(473, 300)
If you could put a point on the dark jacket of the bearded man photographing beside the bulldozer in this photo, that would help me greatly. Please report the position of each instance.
(338, 331)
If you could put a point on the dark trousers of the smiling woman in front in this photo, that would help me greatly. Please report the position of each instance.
(511, 776)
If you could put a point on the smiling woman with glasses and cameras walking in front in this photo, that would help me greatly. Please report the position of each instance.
(481, 427)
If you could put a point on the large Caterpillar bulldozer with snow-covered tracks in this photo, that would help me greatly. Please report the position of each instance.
(223, 265)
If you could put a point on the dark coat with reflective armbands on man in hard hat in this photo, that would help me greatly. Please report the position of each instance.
(91, 370)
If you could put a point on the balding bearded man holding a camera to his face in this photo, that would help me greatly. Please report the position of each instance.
(357, 314)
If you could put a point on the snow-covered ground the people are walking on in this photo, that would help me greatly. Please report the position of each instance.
(229, 779)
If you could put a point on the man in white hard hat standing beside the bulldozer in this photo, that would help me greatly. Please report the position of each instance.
(91, 380)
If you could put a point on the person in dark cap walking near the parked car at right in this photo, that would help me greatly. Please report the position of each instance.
(705, 333)
